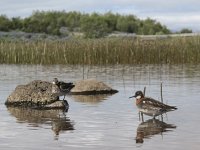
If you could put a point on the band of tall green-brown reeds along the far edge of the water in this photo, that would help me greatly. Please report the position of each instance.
(176, 50)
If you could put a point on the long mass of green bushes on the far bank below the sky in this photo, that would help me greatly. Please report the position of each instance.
(93, 25)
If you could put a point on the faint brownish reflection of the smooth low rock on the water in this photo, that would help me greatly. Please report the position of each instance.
(92, 99)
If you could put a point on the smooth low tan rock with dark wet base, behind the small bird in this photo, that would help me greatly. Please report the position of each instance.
(91, 87)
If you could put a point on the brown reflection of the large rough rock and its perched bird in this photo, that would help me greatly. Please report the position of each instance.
(55, 118)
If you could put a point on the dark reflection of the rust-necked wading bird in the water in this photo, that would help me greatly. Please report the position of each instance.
(152, 127)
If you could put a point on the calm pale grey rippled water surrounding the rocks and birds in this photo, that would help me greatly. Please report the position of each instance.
(107, 121)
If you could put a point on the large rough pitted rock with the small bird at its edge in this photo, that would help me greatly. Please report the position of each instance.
(36, 94)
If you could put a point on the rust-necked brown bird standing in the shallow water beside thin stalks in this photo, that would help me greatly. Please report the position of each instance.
(150, 106)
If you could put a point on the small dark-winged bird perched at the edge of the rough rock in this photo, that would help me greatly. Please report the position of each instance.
(61, 88)
